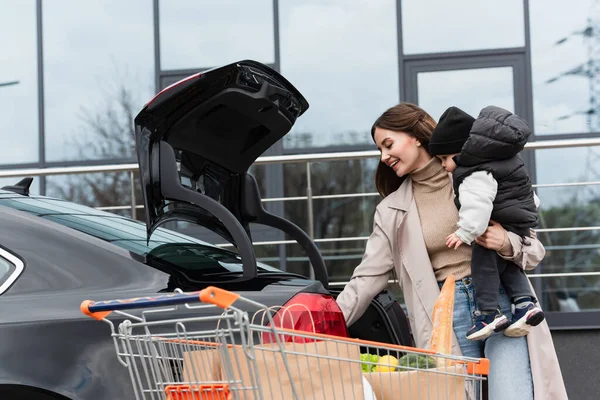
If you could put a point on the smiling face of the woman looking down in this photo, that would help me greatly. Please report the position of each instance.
(400, 151)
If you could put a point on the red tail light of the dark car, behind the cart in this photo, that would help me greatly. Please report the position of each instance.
(309, 312)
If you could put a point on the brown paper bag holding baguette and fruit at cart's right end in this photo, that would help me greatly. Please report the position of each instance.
(426, 384)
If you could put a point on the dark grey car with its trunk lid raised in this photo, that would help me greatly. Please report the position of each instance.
(195, 142)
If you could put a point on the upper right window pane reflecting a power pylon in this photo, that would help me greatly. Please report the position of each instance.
(564, 57)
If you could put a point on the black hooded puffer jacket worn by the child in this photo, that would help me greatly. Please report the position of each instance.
(496, 138)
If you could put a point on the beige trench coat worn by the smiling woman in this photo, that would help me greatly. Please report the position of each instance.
(397, 242)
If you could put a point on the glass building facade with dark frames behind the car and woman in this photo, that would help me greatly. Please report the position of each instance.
(73, 74)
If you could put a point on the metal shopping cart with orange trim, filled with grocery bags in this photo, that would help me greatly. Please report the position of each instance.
(242, 357)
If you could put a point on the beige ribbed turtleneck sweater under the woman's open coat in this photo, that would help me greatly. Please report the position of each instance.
(434, 196)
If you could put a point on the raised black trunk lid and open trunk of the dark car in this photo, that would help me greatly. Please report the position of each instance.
(195, 142)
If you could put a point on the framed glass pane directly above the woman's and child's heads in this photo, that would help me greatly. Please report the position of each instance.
(469, 89)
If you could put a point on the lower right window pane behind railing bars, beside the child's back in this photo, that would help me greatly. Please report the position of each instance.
(568, 207)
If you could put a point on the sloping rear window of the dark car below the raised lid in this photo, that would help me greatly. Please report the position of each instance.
(165, 245)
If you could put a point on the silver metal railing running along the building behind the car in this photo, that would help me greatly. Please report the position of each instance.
(308, 159)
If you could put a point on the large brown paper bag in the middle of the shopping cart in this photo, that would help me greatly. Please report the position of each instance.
(319, 371)
